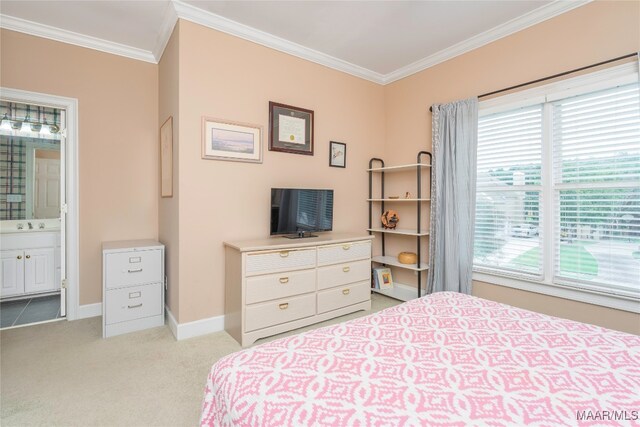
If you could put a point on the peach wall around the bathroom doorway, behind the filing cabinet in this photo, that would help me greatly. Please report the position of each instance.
(118, 138)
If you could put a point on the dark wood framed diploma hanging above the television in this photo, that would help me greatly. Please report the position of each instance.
(290, 129)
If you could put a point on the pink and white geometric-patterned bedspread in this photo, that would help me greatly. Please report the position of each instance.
(443, 360)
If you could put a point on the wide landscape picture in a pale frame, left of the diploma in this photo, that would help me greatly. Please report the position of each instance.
(234, 141)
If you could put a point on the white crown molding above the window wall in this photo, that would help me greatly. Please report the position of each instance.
(527, 20)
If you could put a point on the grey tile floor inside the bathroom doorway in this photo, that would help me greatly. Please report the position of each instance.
(36, 309)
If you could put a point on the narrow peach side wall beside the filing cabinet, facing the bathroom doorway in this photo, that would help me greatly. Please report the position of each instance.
(168, 215)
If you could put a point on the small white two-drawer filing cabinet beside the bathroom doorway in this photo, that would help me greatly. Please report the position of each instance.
(132, 286)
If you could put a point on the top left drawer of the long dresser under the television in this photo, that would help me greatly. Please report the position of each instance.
(271, 262)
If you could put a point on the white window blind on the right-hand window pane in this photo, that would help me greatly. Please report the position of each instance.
(596, 151)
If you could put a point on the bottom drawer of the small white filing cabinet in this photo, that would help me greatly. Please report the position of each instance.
(134, 302)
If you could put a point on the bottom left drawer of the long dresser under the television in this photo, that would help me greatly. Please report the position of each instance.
(284, 310)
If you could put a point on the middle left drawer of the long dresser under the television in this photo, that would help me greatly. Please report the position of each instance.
(274, 286)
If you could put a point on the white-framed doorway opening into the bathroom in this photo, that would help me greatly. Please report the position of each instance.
(38, 208)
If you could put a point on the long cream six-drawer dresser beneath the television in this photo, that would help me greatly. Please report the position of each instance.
(276, 285)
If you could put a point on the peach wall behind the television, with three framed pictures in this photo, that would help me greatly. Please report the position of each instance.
(230, 78)
